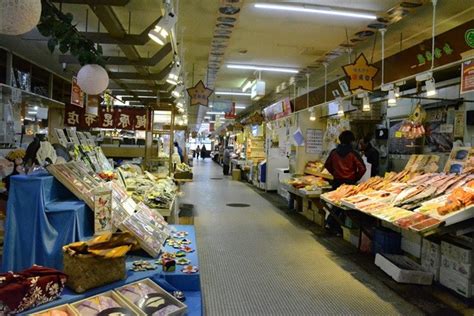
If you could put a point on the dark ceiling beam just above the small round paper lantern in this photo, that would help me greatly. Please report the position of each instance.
(113, 60)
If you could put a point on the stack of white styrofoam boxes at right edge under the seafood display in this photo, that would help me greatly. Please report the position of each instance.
(455, 272)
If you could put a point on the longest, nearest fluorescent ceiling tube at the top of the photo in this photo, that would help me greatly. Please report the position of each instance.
(316, 9)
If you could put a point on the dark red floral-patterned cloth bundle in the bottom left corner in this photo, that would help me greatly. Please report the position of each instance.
(29, 288)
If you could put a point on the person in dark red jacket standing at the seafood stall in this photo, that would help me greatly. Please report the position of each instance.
(347, 167)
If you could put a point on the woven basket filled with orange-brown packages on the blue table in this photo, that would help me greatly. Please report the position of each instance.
(98, 261)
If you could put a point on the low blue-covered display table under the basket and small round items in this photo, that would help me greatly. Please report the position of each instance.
(170, 281)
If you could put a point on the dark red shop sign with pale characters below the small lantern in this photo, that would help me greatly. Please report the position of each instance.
(126, 118)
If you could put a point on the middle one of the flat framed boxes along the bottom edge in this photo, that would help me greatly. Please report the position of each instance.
(108, 303)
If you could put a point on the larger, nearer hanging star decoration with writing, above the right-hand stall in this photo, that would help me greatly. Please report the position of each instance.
(361, 74)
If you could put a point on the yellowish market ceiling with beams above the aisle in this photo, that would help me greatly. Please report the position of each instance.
(208, 38)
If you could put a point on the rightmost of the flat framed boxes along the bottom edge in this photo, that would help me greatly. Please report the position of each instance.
(151, 299)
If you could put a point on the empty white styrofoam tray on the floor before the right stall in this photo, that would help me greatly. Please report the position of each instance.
(403, 269)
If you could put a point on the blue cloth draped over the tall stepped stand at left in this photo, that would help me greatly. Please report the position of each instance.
(42, 216)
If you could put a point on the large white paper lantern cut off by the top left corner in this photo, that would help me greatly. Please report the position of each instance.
(19, 16)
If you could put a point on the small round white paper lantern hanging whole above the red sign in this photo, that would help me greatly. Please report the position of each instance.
(93, 79)
